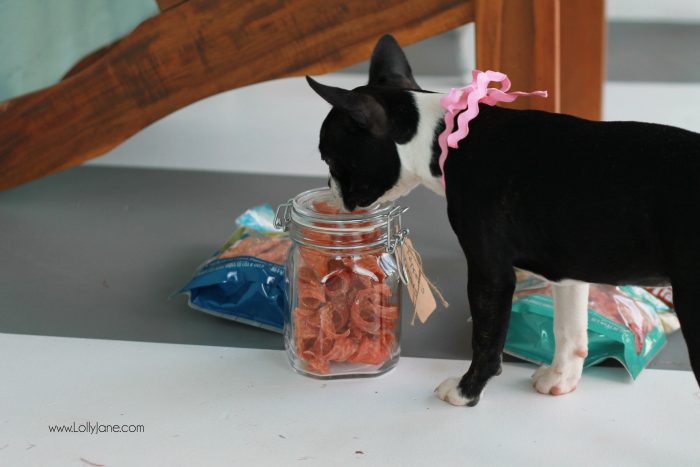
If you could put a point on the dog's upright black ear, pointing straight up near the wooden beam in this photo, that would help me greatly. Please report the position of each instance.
(389, 66)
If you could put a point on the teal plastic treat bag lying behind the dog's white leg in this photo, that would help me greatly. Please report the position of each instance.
(623, 324)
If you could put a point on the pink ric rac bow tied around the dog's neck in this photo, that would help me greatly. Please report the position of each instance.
(468, 99)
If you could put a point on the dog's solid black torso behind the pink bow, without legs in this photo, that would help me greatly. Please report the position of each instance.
(573, 199)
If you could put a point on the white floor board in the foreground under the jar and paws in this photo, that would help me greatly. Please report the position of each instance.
(212, 406)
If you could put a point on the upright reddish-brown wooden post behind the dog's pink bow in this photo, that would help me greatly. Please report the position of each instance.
(546, 44)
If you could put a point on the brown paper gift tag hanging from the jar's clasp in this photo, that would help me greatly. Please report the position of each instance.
(420, 289)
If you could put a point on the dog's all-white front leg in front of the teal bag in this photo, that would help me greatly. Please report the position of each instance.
(570, 338)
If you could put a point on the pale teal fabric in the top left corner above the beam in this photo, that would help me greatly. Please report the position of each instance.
(40, 40)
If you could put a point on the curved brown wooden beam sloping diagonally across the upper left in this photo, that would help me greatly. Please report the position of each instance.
(194, 50)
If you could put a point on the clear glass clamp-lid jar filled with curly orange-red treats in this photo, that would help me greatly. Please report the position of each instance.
(344, 286)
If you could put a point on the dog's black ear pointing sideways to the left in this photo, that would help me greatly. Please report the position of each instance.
(364, 109)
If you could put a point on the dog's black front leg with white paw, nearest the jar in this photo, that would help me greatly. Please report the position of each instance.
(490, 301)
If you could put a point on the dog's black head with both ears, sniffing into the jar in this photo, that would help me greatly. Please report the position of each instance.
(359, 135)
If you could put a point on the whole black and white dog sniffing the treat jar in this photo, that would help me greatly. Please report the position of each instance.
(573, 200)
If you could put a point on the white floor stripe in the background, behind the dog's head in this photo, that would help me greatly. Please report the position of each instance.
(273, 127)
